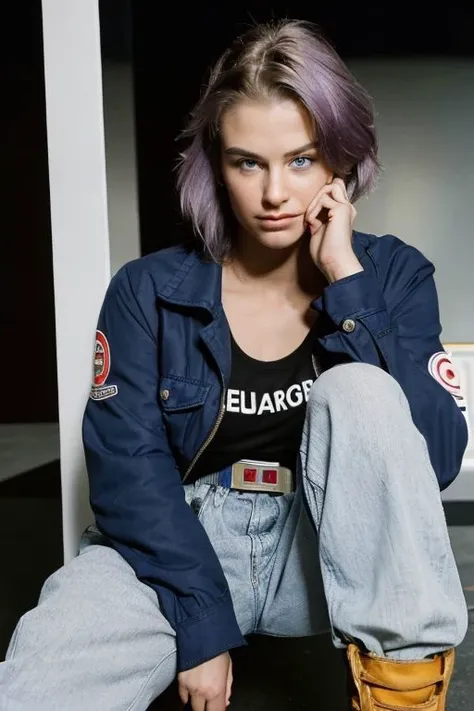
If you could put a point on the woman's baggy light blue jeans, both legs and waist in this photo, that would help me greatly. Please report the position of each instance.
(360, 549)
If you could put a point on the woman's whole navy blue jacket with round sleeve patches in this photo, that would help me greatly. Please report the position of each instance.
(162, 362)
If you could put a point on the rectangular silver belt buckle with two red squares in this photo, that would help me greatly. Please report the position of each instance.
(251, 475)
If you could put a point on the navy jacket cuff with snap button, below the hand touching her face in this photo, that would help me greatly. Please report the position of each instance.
(355, 296)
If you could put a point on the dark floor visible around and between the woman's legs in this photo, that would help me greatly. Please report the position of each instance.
(277, 675)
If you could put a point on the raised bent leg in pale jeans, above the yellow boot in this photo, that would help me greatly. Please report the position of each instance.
(389, 573)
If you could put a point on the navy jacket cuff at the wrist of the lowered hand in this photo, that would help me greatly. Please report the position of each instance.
(207, 635)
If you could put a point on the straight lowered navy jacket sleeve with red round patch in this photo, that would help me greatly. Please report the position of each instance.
(136, 491)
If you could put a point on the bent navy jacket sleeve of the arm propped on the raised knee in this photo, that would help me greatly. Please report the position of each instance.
(397, 328)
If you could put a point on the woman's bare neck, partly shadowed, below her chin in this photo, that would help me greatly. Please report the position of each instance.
(287, 271)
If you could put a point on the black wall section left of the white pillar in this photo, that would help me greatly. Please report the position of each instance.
(29, 391)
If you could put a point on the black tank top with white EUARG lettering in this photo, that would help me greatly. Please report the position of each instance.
(265, 409)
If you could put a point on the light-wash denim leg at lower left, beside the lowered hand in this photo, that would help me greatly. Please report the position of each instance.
(96, 640)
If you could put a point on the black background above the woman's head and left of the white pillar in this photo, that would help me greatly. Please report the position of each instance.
(171, 48)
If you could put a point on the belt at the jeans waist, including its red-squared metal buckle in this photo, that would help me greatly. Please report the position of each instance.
(252, 475)
